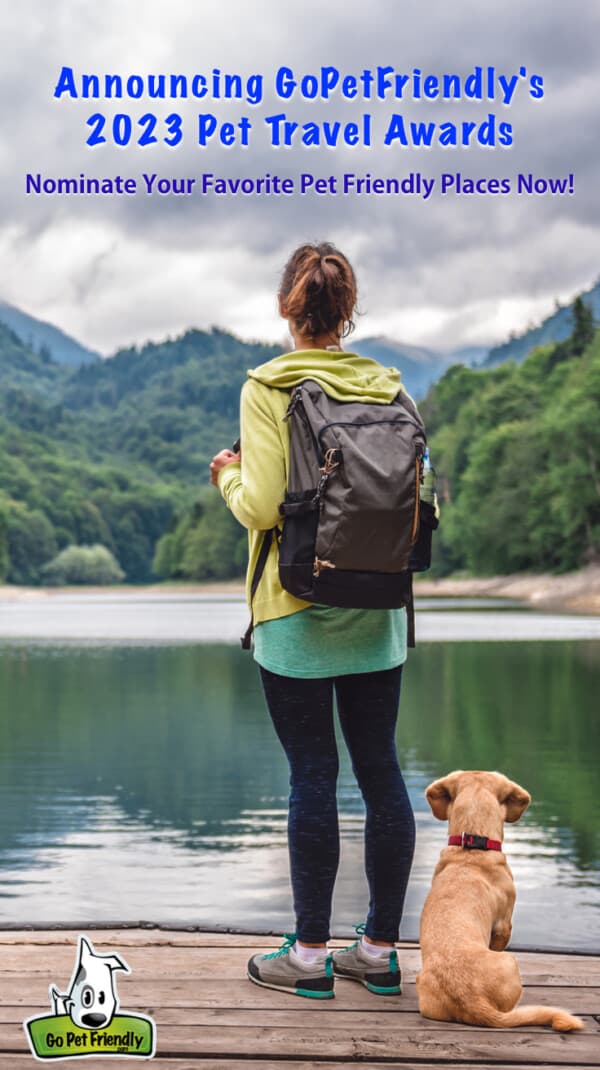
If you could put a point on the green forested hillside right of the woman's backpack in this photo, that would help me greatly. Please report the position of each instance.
(518, 454)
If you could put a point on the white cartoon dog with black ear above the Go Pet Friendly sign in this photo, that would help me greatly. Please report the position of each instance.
(91, 1001)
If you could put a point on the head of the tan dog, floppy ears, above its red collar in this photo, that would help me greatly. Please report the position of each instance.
(478, 802)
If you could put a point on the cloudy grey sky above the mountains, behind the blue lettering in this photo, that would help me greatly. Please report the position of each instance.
(440, 272)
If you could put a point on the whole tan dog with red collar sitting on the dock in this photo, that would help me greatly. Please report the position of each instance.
(466, 924)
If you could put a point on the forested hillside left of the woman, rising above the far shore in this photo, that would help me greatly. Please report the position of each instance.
(116, 453)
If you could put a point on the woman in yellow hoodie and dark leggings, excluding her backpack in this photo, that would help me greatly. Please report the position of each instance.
(307, 651)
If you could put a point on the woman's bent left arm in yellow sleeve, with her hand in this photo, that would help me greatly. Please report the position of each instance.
(254, 487)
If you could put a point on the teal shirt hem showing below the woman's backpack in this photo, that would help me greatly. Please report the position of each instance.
(331, 641)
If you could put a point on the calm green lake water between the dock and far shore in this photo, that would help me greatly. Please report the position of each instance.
(142, 778)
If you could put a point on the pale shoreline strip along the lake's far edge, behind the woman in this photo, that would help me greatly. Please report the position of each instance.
(573, 592)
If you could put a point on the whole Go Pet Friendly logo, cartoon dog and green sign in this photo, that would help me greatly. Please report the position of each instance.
(86, 1021)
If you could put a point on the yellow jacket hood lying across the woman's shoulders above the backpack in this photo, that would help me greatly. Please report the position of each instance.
(347, 377)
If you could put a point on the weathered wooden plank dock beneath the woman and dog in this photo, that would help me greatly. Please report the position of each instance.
(209, 1017)
